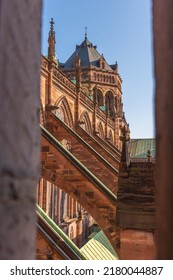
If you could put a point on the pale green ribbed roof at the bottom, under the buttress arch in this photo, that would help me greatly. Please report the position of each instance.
(98, 248)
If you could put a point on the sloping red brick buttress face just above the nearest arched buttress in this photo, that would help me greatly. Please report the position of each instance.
(107, 175)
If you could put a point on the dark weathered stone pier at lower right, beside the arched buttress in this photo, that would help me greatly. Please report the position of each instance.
(136, 211)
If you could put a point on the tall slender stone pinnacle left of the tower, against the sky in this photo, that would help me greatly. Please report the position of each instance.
(52, 42)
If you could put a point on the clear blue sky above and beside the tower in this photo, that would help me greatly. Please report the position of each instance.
(122, 31)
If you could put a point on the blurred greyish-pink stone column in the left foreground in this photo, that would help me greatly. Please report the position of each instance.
(20, 40)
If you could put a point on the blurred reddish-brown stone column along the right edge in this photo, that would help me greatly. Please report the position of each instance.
(163, 66)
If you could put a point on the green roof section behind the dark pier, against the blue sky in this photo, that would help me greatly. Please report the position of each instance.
(139, 147)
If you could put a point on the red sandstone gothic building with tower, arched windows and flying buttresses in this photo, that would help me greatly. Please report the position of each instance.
(84, 153)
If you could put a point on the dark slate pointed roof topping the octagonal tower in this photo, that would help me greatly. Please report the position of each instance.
(87, 54)
